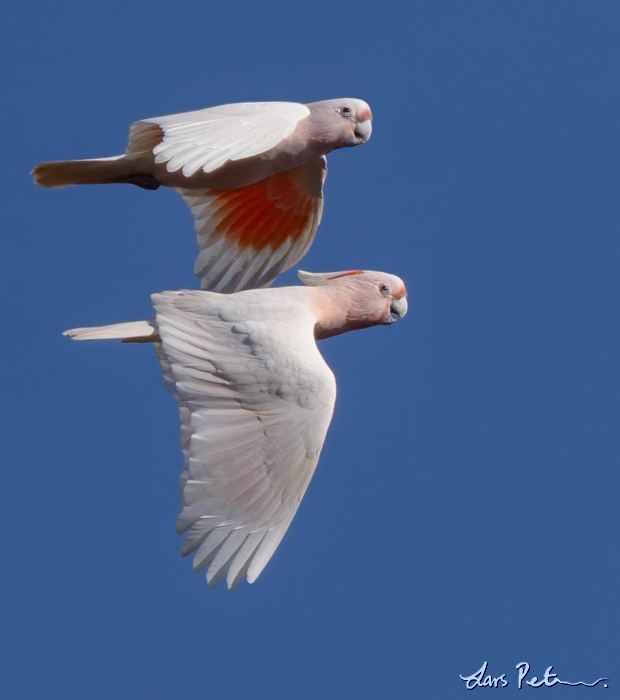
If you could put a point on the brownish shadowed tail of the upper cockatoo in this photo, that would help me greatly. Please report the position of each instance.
(83, 172)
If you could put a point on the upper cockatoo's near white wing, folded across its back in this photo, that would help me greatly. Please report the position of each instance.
(207, 138)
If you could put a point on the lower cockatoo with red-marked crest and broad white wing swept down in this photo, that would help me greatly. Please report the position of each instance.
(255, 399)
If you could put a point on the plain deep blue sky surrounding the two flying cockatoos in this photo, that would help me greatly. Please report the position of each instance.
(465, 508)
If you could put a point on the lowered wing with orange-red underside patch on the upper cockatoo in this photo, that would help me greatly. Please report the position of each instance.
(250, 234)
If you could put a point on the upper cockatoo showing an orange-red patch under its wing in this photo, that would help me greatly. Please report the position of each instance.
(252, 174)
